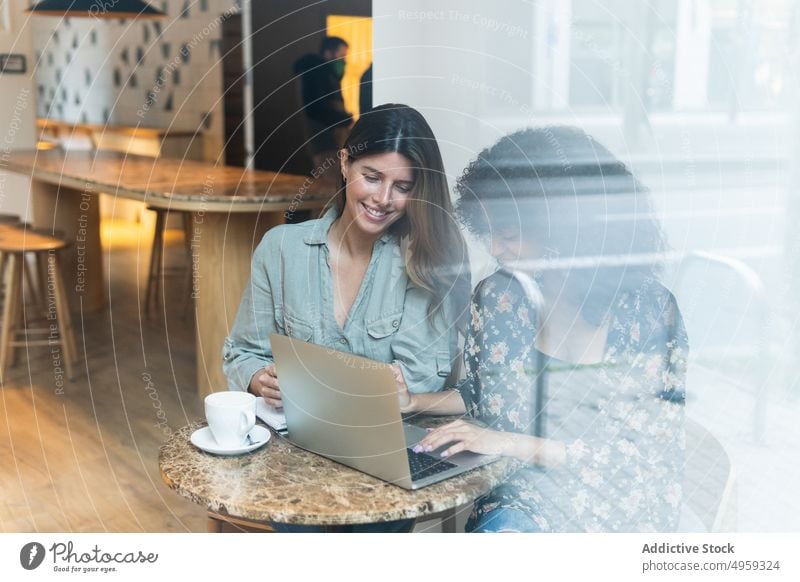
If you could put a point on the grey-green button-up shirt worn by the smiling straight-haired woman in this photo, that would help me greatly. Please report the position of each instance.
(291, 293)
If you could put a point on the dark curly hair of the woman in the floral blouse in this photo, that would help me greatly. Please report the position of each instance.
(559, 187)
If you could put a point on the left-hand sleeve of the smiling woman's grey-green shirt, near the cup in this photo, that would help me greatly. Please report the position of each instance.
(247, 349)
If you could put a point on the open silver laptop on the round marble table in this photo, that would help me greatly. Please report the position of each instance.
(344, 407)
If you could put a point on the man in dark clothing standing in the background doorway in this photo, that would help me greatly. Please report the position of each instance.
(327, 120)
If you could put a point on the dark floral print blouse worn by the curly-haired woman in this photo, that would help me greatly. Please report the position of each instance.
(621, 420)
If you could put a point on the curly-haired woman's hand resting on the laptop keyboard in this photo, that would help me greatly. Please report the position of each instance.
(466, 436)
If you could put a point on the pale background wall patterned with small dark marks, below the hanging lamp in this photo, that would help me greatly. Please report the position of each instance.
(164, 73)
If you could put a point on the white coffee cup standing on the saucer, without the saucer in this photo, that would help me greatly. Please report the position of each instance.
(231, 415)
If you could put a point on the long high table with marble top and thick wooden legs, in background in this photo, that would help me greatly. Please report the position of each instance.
(231, 208)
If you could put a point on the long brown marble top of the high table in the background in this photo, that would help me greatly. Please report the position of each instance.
(172, 183)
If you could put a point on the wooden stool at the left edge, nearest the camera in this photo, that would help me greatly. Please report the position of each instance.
(15, 244)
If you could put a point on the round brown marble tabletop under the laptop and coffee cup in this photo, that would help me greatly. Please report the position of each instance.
(283, 483)
